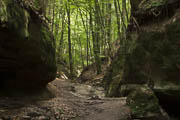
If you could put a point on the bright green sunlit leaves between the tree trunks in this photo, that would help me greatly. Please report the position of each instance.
(81, 31)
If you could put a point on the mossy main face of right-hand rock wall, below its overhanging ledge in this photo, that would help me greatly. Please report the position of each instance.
(153, 55)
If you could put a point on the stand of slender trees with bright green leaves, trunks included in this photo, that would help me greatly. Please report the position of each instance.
(86, 30)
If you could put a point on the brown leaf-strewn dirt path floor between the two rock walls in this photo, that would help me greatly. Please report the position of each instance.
(63, 100)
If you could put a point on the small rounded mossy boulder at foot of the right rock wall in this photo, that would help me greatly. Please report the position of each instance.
(144, 105)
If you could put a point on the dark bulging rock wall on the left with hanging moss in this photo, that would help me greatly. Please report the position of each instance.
(27, 52)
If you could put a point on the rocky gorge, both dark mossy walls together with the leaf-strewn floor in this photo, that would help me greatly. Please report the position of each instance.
(144, 72)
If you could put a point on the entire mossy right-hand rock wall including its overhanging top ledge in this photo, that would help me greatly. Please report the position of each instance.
(153, 55)
